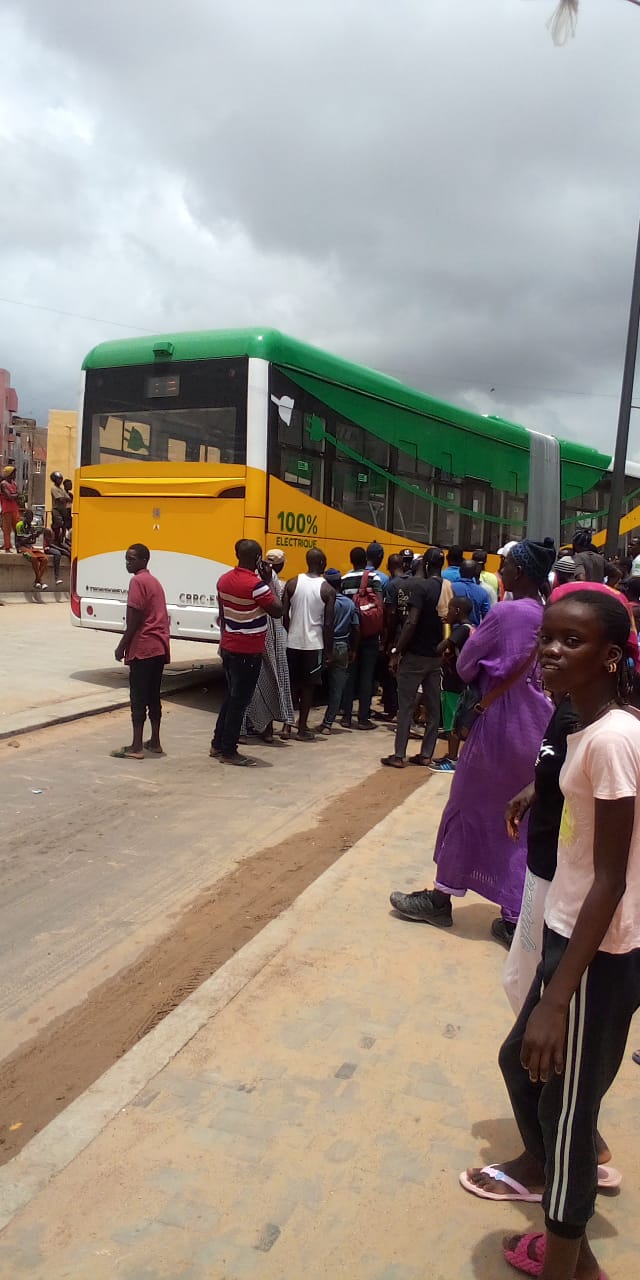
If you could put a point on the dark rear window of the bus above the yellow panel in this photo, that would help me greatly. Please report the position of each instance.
(194, 414)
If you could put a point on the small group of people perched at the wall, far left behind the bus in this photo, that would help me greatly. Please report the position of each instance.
(28, 536)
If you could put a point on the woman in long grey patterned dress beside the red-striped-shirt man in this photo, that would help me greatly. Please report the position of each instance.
(272, 700)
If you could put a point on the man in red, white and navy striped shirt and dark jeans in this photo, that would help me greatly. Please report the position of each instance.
(245, 601)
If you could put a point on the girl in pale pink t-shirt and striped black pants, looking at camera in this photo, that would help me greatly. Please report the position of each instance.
(569, 1041)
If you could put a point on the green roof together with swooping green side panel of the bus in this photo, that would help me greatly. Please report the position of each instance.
(454, 440)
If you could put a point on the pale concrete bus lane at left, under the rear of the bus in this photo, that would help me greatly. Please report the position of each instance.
(52, 669)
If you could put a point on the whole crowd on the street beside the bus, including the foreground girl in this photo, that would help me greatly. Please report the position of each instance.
(532, 675)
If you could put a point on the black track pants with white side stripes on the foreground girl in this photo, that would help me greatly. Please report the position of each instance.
(559, 1121)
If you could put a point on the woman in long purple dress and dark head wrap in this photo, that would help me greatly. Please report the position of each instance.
(473, 851)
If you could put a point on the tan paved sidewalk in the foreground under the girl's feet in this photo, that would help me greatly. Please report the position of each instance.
(307, 1113)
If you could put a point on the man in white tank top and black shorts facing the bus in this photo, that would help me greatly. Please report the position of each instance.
(309, 609)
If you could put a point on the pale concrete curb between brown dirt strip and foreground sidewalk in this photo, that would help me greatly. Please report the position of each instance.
(76, 1128)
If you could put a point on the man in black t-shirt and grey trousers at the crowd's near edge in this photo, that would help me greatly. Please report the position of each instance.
(418, 662)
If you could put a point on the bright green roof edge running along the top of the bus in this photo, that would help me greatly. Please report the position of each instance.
(290, 354)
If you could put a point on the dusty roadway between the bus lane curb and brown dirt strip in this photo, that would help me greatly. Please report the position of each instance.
(104, 853)
